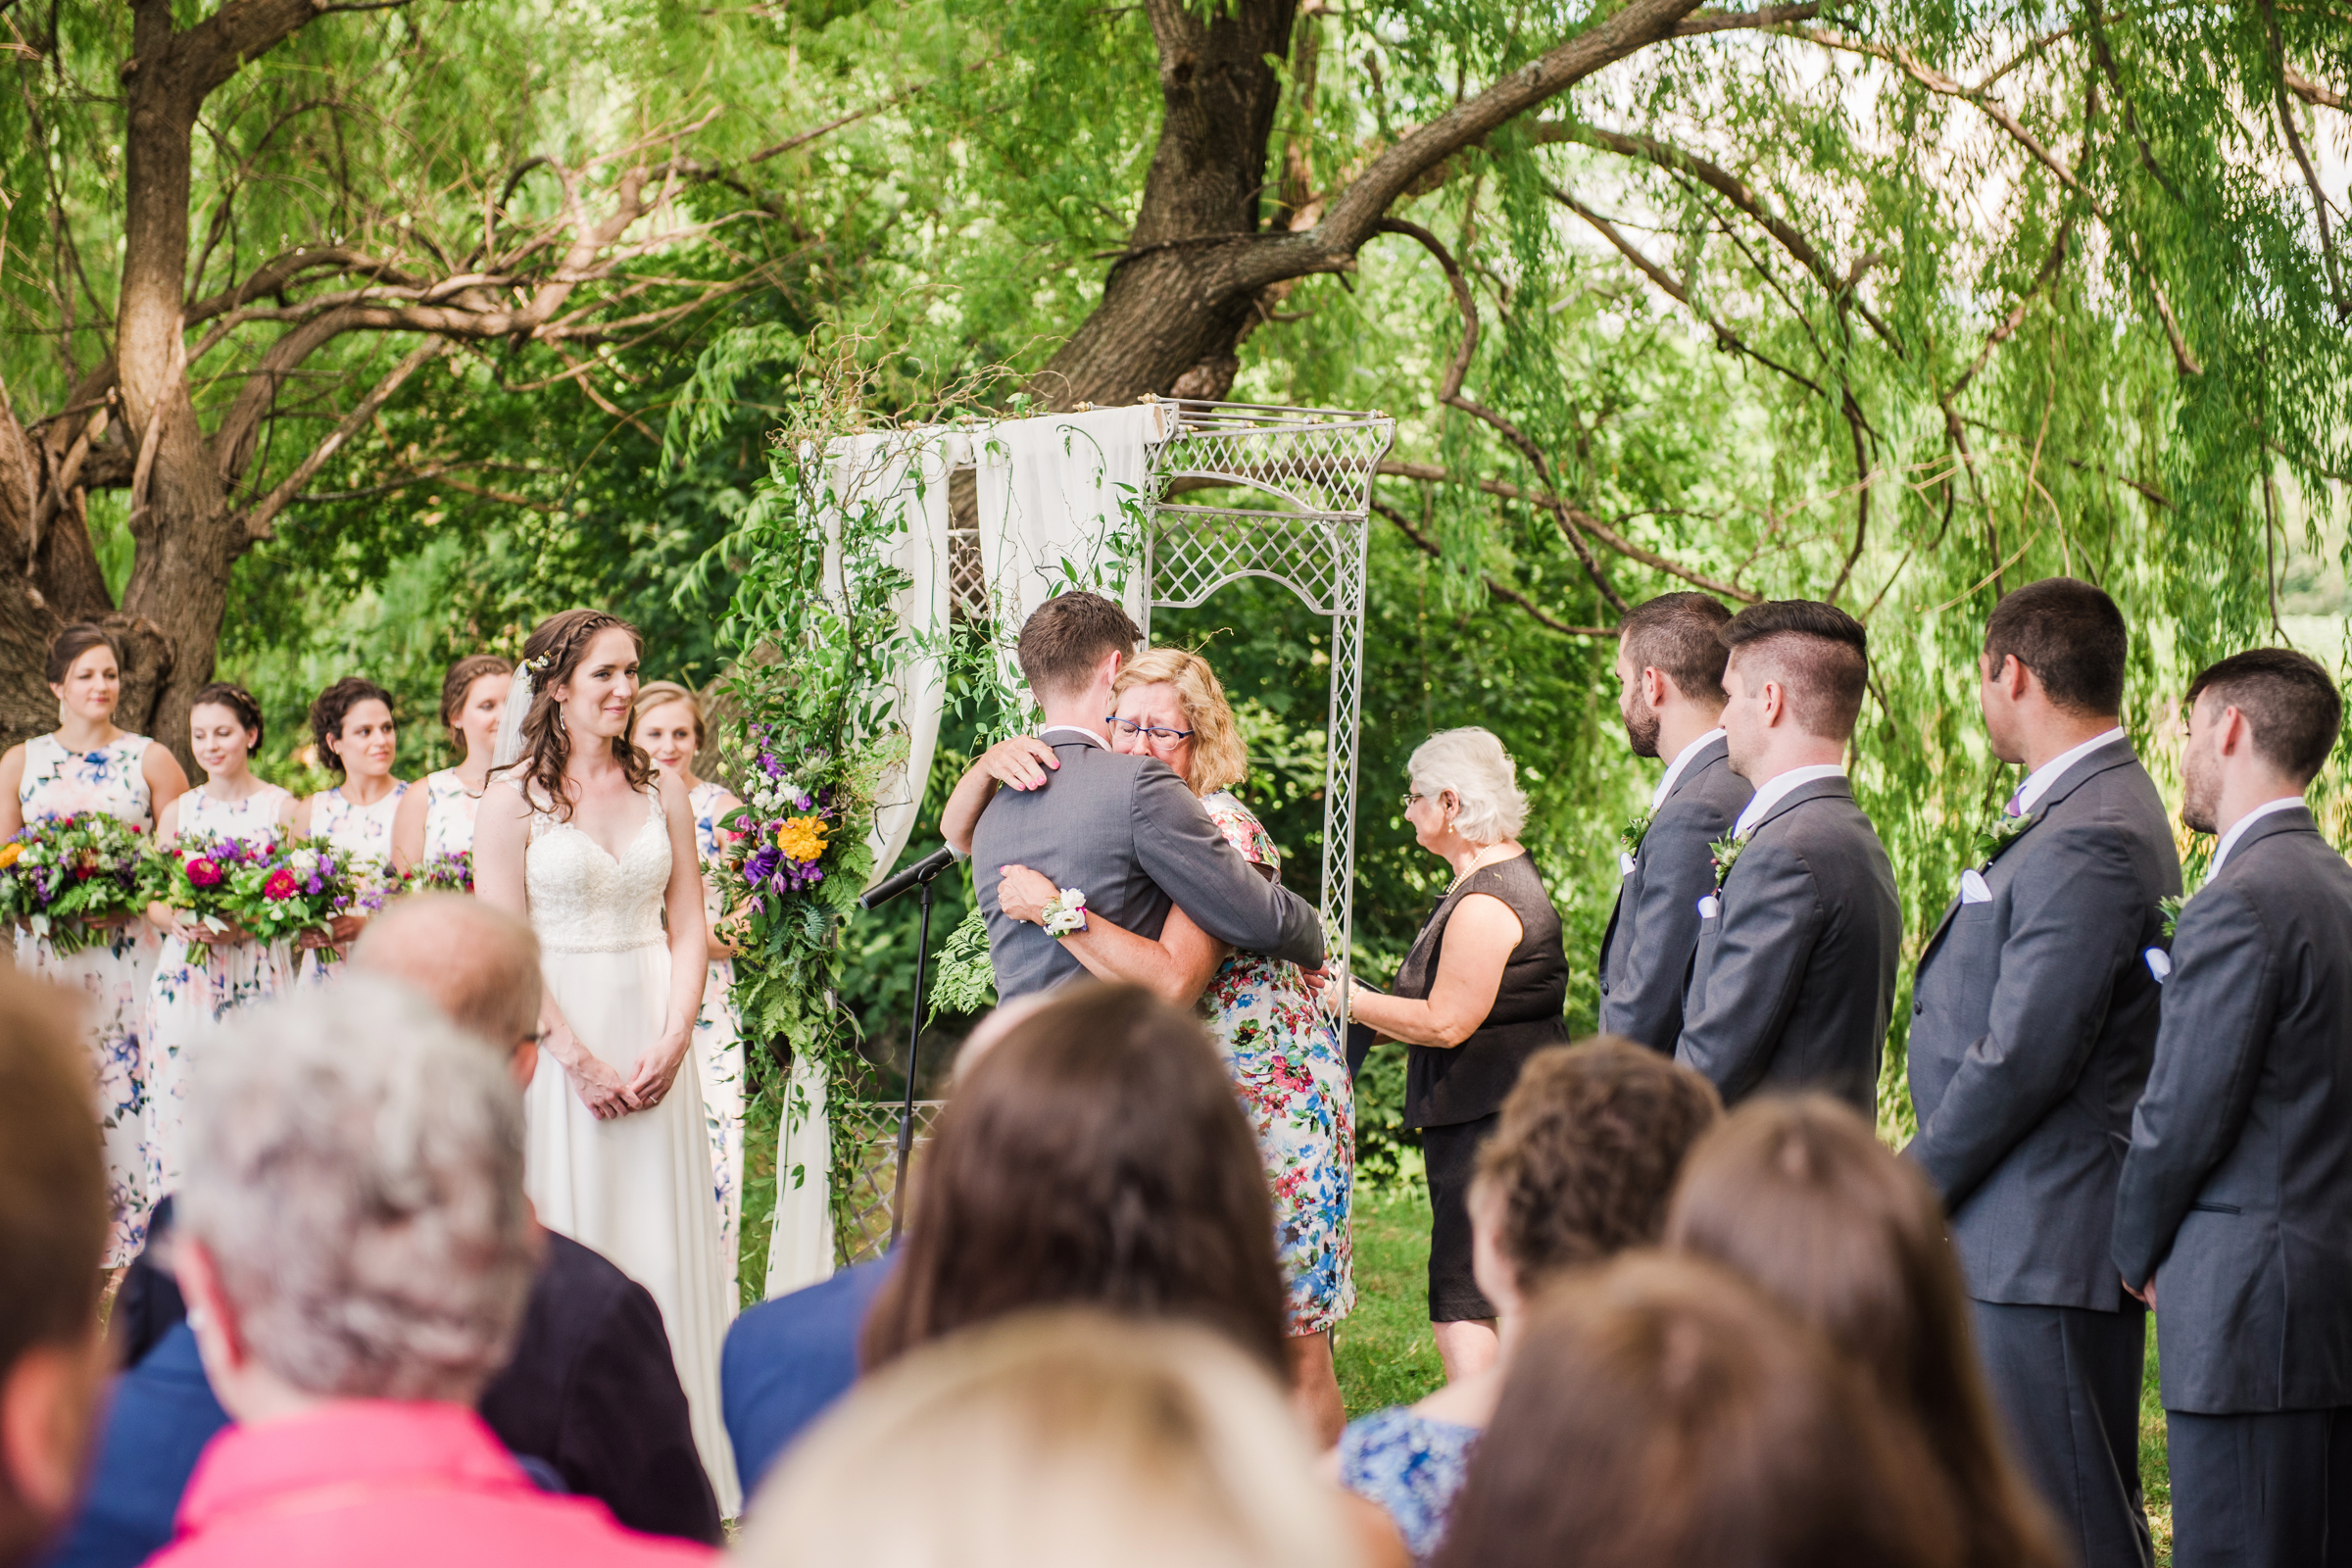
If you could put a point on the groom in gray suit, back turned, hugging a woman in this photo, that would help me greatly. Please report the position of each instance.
(1121, 829)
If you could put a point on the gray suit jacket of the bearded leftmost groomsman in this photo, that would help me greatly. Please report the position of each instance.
(1655, 925)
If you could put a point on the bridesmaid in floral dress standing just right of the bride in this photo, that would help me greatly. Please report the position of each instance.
(669, 725)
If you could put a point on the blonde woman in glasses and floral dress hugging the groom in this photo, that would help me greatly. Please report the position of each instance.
(1283, 1052)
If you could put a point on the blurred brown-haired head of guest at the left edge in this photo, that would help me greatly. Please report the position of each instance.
(53, 1247)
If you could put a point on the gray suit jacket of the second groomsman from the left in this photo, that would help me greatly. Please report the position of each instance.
(1796, 977)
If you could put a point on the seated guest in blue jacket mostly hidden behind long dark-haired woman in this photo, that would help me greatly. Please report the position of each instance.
(791, 1358)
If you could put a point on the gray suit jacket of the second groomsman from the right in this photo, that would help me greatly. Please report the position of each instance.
(2033, 1021)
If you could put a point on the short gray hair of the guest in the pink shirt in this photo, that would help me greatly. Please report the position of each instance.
(356, 1172)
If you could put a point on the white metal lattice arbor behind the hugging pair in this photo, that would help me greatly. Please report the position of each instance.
(1295, 509)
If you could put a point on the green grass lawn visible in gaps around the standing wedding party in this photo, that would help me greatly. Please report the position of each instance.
(1387, 1355)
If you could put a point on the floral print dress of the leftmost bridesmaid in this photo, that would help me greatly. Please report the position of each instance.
(114, 977)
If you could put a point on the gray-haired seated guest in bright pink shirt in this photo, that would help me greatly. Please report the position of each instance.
(356, 1254)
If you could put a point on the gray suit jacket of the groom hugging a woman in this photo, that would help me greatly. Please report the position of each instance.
(1135, 840)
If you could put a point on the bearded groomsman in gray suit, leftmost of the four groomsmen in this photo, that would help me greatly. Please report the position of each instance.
(1671, 695)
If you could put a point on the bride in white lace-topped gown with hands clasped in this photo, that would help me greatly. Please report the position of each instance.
(594, 847)
